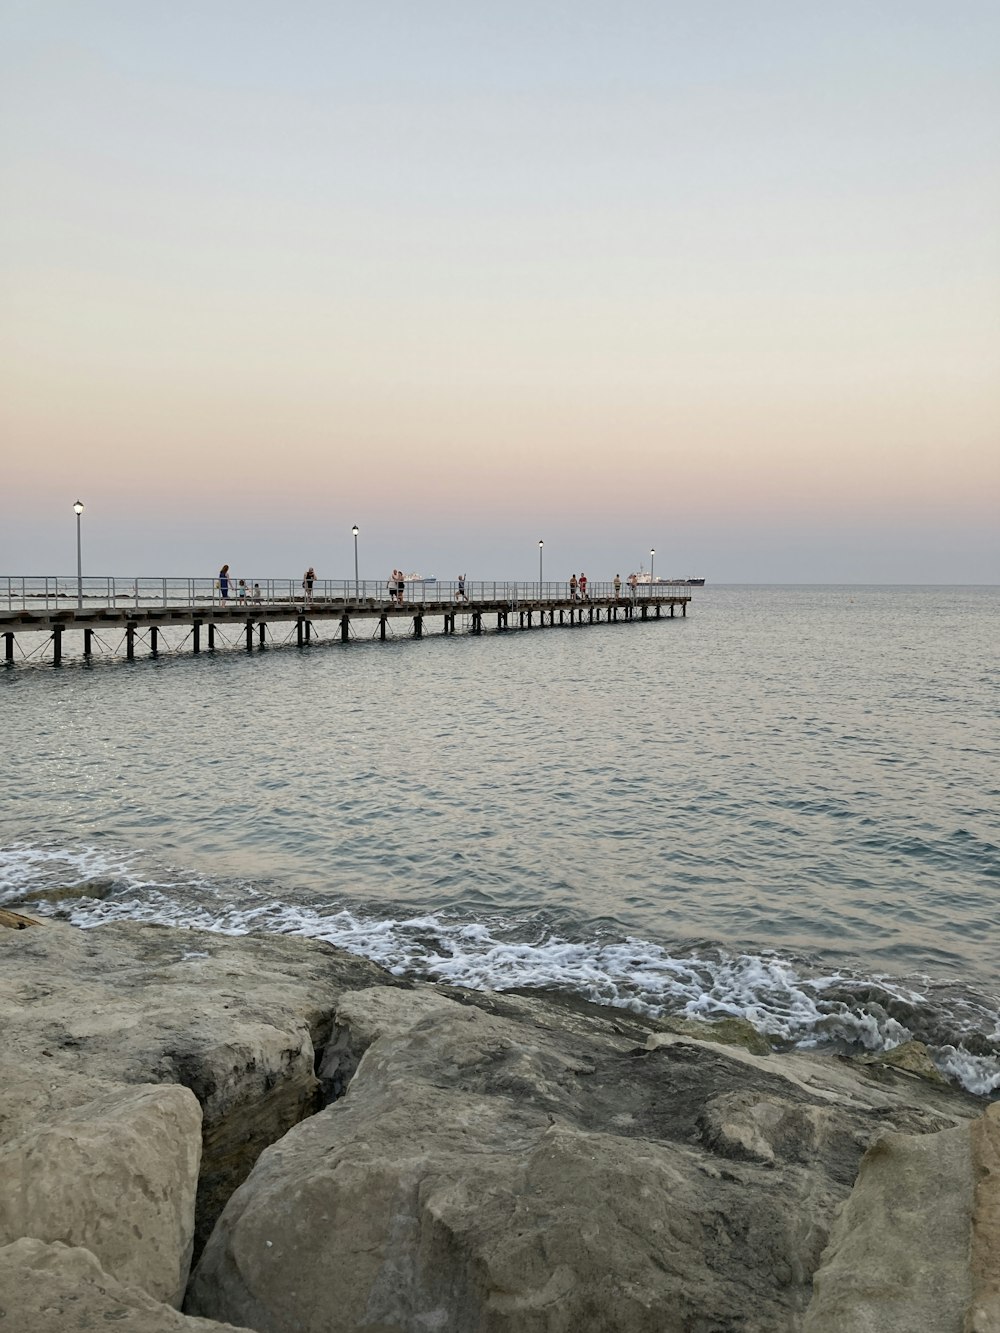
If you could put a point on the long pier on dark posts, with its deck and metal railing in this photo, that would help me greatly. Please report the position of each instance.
(127, 618)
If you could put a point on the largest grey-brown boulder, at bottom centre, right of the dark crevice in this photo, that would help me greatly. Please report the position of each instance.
(514, 1167)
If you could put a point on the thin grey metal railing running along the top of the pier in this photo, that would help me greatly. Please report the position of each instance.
(50, 593)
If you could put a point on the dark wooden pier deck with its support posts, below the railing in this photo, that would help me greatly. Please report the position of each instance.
(85, 631)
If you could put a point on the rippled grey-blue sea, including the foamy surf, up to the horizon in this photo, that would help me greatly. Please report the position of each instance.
(785, 807)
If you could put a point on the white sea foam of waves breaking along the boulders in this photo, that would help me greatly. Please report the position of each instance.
(774, 994)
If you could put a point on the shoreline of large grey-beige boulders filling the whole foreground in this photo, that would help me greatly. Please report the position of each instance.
(270, 1134)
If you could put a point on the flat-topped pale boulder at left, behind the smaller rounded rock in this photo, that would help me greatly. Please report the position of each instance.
(237, 1020)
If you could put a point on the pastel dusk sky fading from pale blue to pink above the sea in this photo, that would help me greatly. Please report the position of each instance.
(707, 278)
